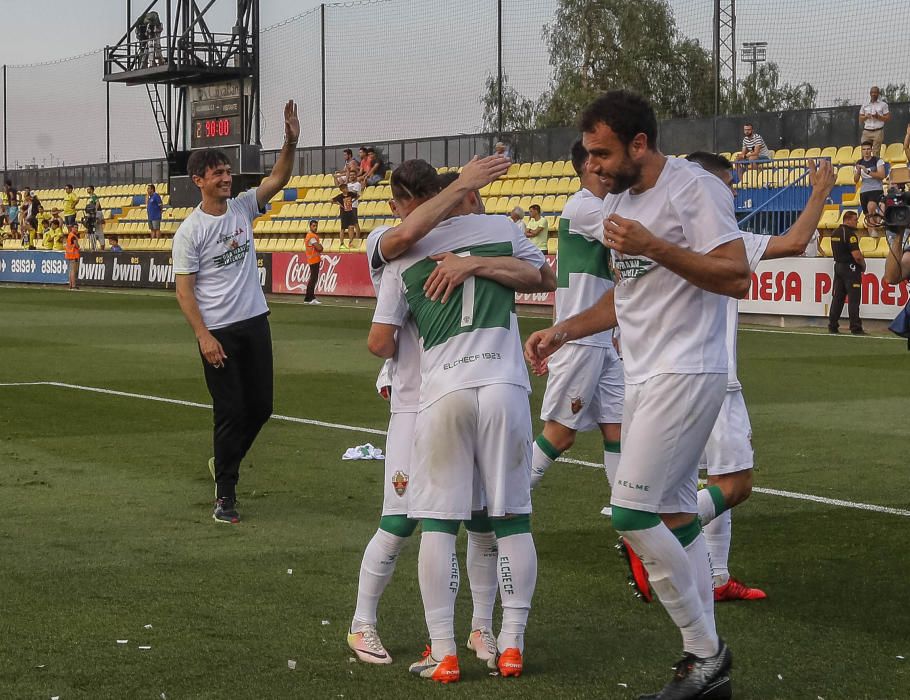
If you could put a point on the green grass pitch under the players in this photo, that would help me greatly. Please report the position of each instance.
(106, 525)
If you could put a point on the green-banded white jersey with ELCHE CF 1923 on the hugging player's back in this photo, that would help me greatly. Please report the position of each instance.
(472, 340)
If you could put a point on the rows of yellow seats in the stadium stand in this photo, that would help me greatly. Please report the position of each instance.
(547, 183)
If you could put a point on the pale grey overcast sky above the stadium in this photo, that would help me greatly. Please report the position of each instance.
(396, 69)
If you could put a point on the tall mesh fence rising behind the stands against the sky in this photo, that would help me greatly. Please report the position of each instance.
(384, 70)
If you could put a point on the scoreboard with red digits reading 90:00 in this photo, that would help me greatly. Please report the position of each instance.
(215, 115)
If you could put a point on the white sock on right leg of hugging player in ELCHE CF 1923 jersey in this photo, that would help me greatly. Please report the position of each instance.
(517, 580)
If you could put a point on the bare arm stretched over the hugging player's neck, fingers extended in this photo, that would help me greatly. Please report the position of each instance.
(476, 174)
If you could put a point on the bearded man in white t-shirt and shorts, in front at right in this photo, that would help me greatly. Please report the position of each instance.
(677, 253)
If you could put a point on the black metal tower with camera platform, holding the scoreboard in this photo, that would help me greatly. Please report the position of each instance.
(209, 81)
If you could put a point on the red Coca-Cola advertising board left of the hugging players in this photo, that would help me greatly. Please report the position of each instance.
(340, 274)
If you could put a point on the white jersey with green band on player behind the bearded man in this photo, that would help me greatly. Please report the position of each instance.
(583, 266)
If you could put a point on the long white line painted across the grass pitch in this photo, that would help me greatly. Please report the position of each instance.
(374, 431)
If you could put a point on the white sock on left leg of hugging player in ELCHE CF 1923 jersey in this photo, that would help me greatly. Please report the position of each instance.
(437, 572)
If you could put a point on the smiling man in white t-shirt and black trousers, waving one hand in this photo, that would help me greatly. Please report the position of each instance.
(218, 292)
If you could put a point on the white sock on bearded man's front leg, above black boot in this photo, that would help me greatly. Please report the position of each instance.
(673, 579)
